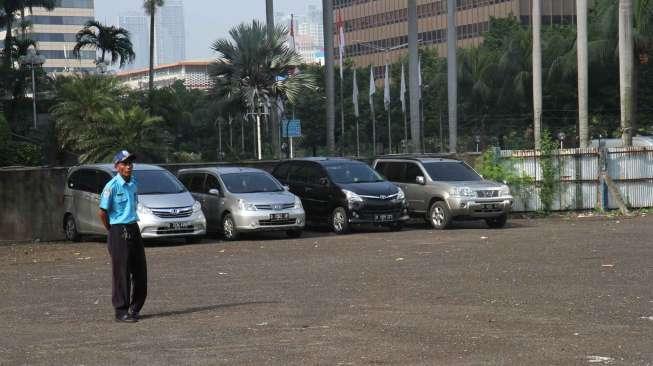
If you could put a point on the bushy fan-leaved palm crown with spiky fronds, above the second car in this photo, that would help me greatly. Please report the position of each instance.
(253, 69)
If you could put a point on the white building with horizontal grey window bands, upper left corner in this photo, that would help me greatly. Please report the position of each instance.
(55, 33)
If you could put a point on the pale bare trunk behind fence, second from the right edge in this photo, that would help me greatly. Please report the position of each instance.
(581, 44)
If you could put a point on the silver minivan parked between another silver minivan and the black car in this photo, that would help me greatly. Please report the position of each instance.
(237, 200)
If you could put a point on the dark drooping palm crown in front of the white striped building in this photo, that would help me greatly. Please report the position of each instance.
(106, 39)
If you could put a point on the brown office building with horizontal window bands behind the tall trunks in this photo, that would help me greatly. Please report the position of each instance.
(376, 31)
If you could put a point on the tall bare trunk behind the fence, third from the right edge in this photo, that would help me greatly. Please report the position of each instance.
(537, 72)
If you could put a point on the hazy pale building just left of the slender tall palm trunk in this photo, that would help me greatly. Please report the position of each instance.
(138, 26)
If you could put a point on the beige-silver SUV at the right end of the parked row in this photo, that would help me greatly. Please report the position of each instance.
(444, 189)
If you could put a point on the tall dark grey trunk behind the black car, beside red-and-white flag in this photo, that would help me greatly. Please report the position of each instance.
(327, 16)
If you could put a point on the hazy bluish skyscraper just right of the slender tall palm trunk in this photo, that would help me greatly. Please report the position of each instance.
(170, 33)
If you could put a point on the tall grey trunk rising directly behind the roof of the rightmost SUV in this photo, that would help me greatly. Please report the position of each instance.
(413, 82)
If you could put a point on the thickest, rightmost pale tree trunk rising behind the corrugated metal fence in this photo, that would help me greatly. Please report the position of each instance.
(626, 69)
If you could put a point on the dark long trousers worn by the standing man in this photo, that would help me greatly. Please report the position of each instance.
(128, 267)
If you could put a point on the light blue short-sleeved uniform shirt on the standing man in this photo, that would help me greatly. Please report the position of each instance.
(119, 199)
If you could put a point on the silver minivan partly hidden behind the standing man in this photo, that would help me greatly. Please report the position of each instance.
(165, 208)
